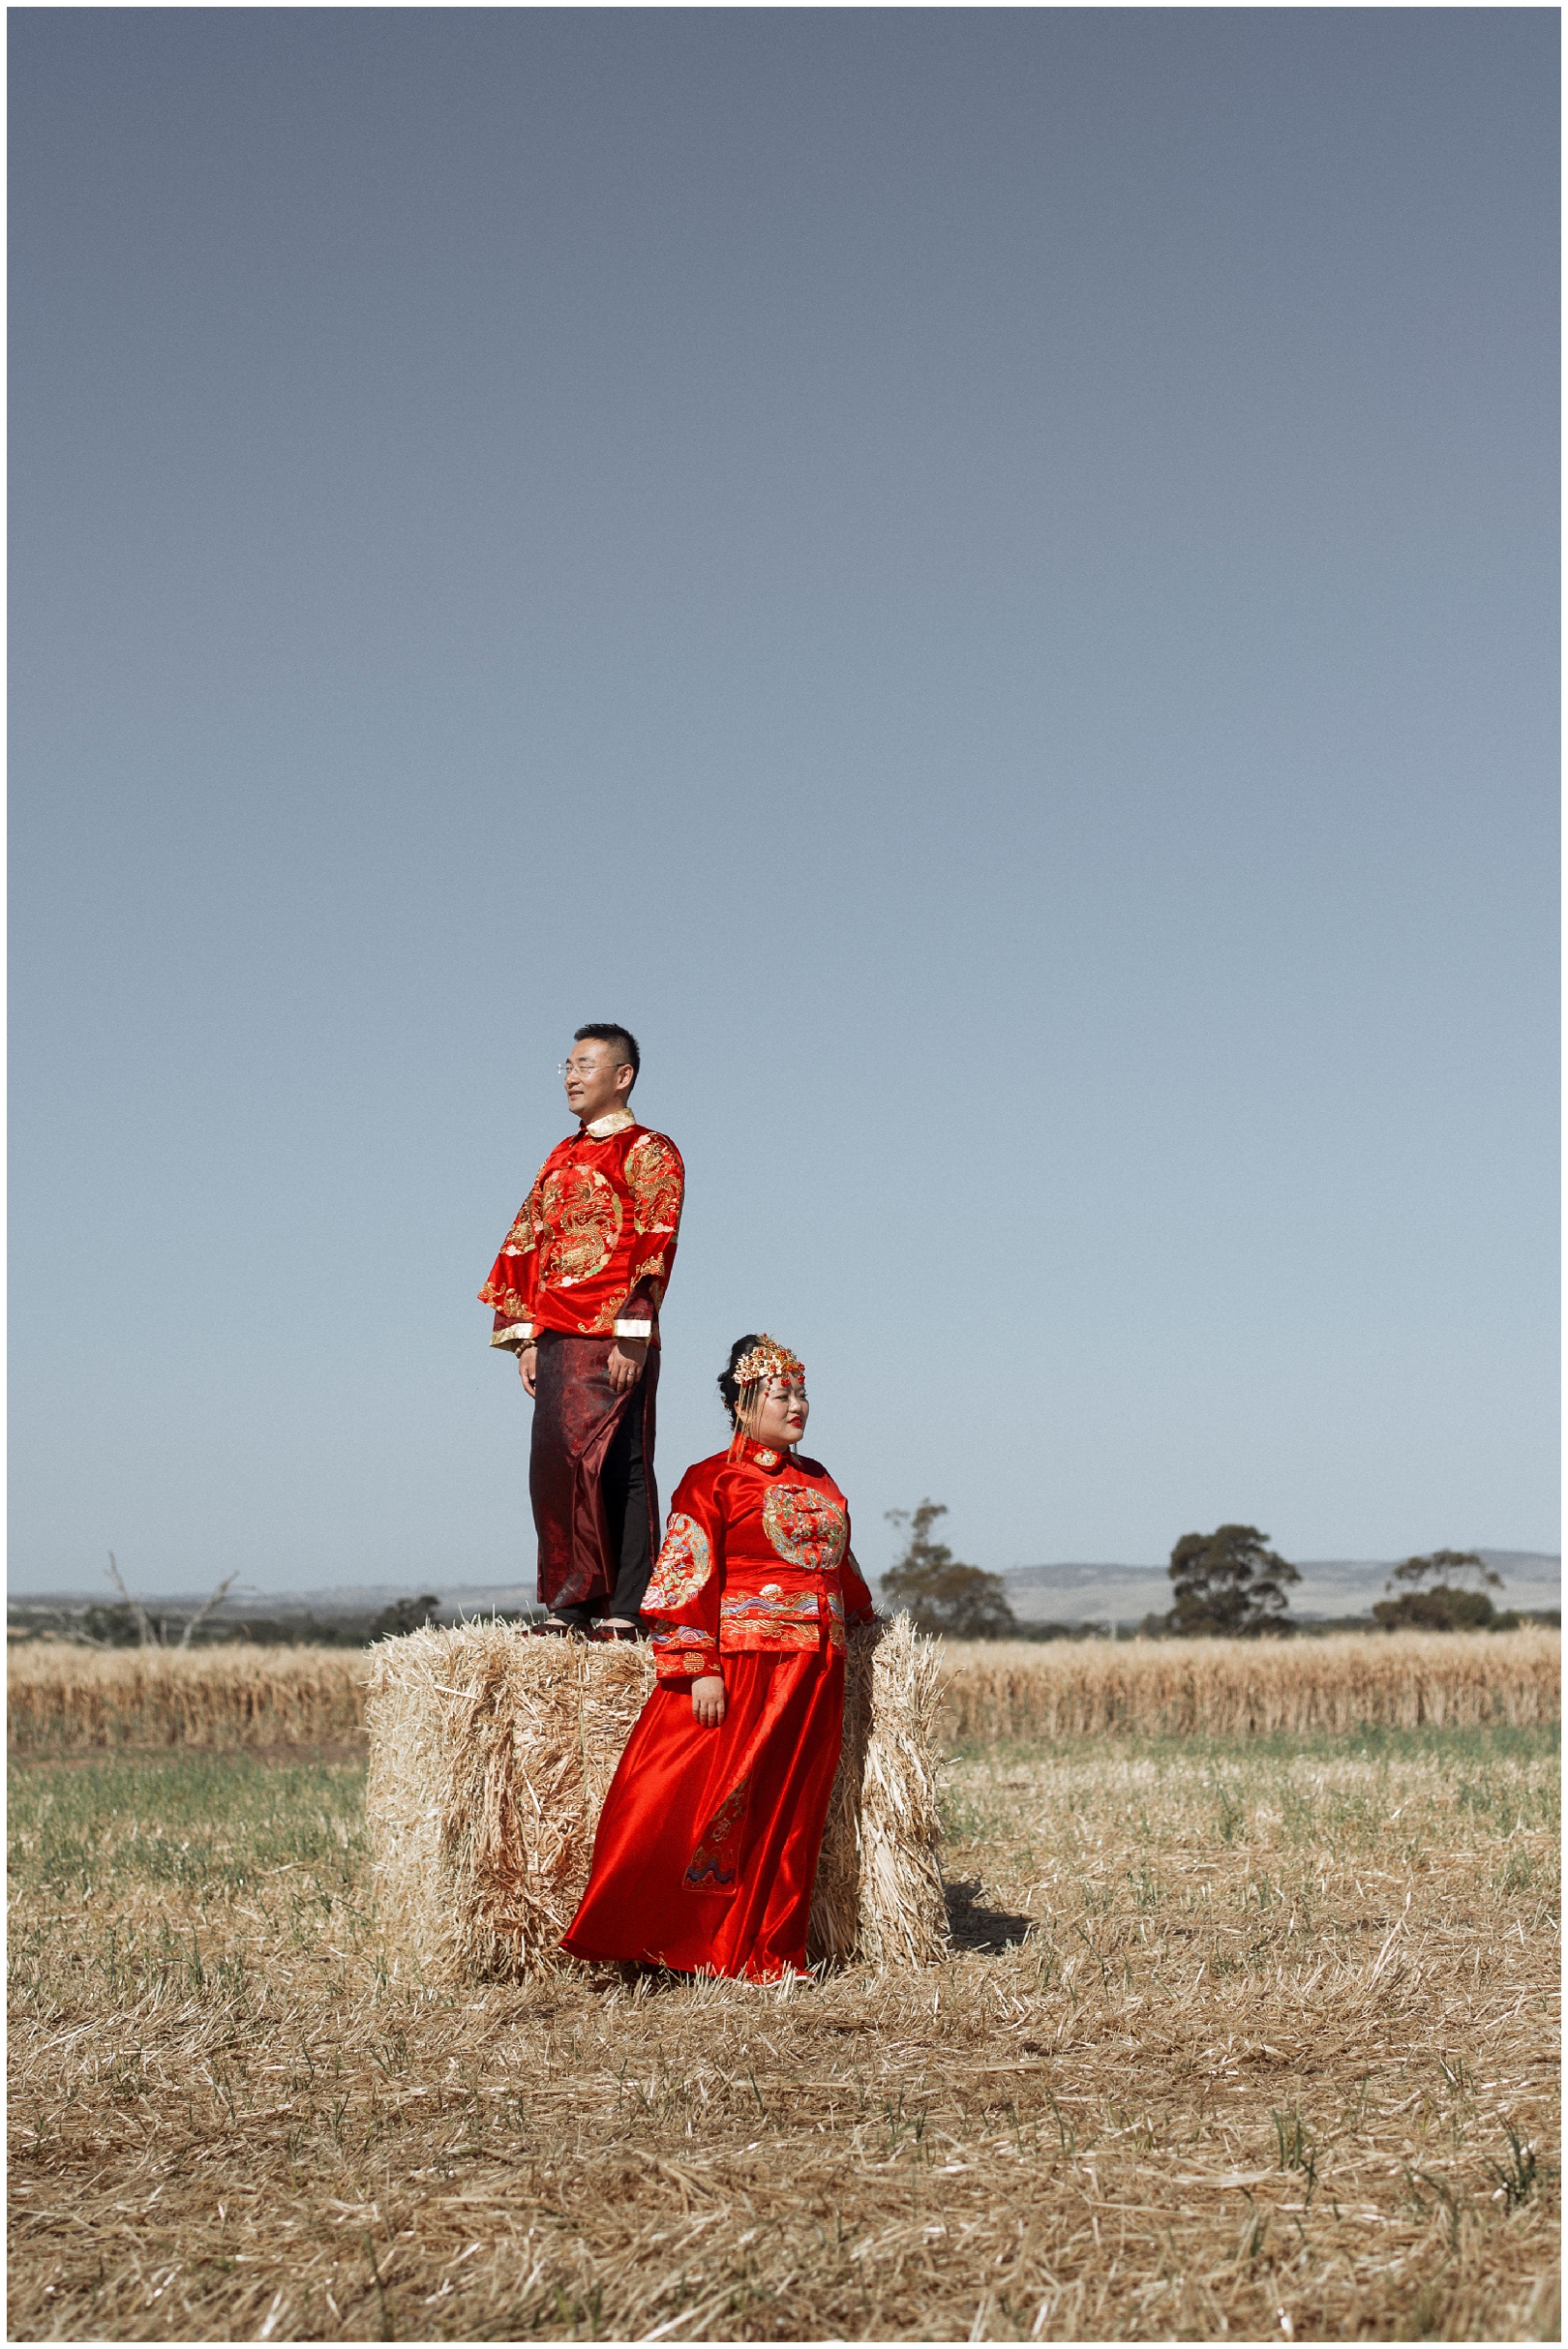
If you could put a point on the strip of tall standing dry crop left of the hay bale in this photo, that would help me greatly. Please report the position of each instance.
(210, 1700)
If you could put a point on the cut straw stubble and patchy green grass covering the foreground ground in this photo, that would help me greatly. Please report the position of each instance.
(1235, 2042)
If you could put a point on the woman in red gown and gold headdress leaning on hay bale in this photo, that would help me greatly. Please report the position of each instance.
(713, 1822)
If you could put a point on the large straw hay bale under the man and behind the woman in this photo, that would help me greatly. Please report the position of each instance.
(492, 1756)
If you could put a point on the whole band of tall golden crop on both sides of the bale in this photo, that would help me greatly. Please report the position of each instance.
(69, 1700)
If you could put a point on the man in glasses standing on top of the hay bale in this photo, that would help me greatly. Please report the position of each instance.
(577, 1293)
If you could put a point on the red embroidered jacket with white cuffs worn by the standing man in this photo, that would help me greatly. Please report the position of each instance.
(594, 1241)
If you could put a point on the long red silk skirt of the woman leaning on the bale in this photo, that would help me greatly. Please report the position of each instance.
(709, 1838)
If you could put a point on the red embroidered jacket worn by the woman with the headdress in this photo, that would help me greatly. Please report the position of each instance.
(756, 1559)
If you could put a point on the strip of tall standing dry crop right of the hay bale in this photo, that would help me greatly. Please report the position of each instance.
(1247, 1688)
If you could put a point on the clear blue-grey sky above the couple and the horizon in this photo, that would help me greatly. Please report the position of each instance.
(981, 579)
